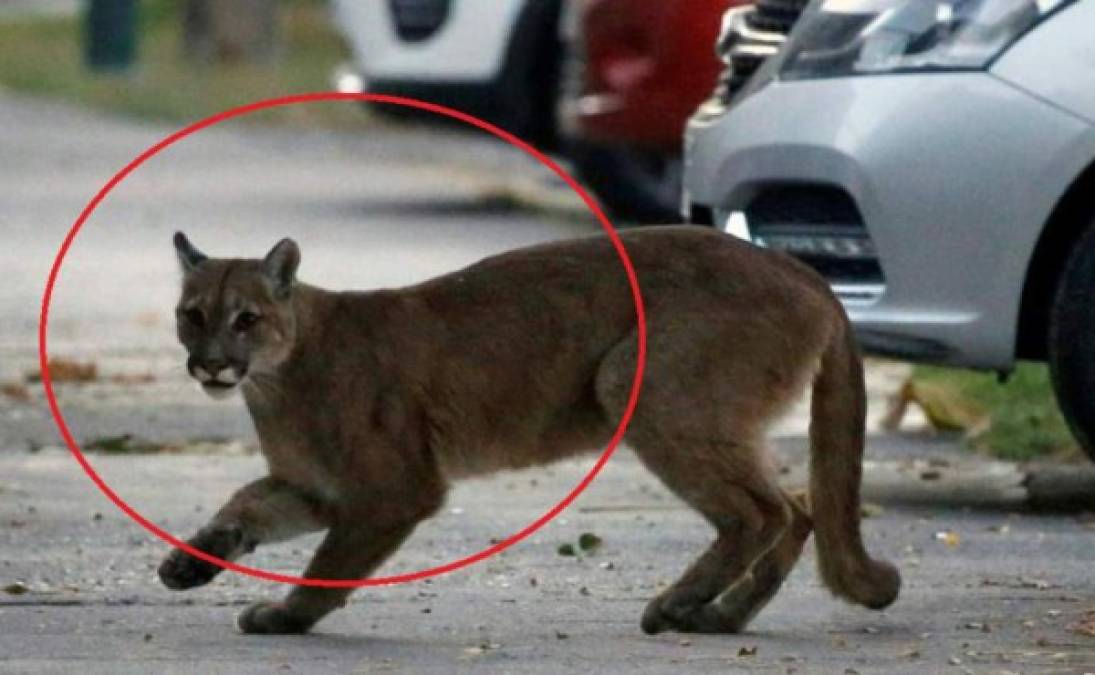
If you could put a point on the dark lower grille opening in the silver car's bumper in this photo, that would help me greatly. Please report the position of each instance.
(822, 226)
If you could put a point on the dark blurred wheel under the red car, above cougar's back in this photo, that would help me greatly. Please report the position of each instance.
(633, 185)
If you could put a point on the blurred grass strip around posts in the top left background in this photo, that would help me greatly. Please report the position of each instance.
(44, 56)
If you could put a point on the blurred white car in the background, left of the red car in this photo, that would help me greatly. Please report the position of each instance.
(497, 60)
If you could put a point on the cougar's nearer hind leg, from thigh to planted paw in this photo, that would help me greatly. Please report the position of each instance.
(700, 429)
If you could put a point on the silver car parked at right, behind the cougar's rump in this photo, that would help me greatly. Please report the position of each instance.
(936, 161)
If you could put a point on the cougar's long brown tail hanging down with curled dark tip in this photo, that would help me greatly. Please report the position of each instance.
(838, 416)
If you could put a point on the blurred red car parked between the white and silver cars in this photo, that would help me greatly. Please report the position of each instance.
(633, 73)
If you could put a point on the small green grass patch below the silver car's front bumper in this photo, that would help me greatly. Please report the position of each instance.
(1024, 420)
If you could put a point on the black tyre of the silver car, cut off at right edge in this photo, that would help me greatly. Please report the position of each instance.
(1073, 342)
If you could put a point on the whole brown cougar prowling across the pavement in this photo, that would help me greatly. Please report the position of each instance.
(370, 405)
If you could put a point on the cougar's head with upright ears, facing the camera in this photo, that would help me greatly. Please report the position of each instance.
(236, 316)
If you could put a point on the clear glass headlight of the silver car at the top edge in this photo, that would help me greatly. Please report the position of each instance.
(847, 38)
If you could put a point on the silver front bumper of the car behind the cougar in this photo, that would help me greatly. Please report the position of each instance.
(952, 175)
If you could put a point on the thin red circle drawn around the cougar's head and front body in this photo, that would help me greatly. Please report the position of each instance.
(335, 584)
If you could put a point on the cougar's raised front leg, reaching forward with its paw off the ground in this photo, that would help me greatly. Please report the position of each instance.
(267, 511)
